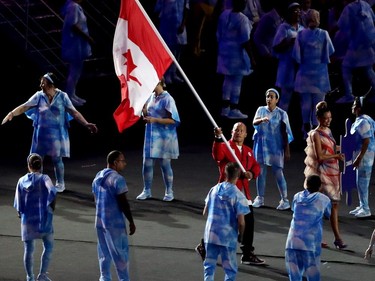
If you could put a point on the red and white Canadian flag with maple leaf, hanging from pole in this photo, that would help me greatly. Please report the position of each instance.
(140, 60)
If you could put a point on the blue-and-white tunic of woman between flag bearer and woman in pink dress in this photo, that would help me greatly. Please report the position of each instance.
(268, 140)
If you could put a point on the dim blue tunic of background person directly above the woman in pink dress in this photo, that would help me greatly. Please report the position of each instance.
(312, 50)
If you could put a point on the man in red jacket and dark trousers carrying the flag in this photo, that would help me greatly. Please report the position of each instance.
(222, 156)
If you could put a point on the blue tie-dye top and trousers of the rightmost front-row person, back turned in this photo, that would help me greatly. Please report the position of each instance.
(303, 245)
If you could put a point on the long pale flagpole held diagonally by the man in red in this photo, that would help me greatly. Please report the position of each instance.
(188, 82)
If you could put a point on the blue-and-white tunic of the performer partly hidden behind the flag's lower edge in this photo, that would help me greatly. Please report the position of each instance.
(161, 140)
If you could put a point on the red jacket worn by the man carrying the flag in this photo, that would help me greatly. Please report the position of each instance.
(222, 156)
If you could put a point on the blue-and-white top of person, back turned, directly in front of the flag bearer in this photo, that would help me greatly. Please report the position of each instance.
(224, 203)
